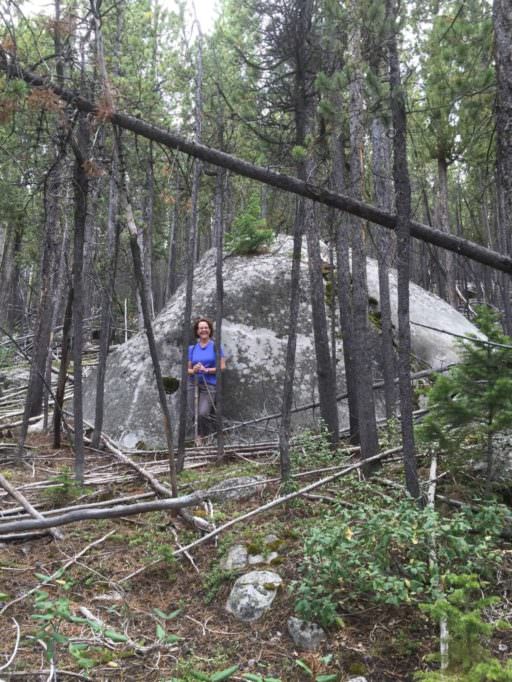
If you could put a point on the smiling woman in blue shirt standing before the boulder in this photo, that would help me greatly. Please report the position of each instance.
(202, 369)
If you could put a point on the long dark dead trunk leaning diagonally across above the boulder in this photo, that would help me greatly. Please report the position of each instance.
(10, 66)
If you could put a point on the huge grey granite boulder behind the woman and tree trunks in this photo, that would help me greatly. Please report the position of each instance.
(256, 301)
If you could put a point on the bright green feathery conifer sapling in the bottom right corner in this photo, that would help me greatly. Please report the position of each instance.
(463, 608)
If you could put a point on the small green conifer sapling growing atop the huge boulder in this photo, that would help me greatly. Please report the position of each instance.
(249, 233)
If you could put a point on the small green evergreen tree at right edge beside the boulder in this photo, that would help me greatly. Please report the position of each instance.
(473, 401)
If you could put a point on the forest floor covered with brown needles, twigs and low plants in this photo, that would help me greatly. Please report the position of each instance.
(168, 621)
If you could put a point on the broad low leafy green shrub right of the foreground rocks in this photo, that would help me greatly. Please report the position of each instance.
(382, 555)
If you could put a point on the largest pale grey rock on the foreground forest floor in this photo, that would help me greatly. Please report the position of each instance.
(253, 594)
